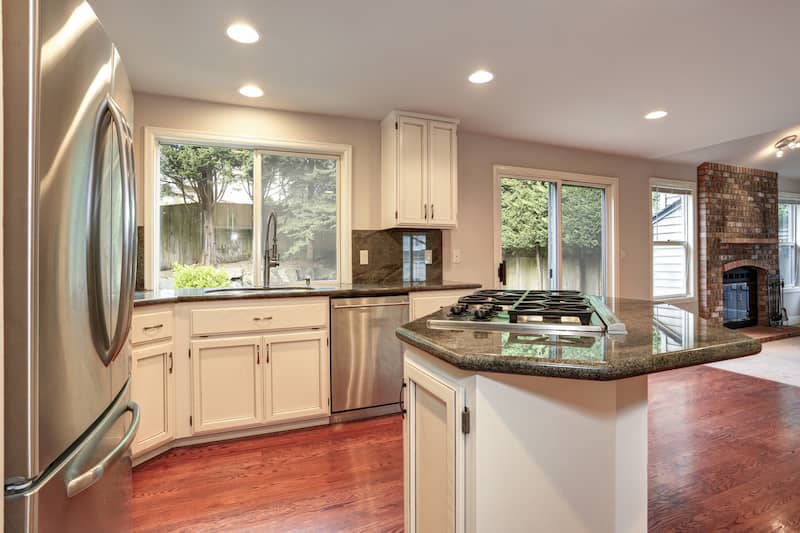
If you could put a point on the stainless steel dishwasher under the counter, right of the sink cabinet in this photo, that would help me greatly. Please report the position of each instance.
(366, 356)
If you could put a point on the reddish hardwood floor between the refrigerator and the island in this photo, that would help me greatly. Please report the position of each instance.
(345, 477)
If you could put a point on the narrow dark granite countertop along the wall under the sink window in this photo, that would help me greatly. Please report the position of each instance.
(342, 290)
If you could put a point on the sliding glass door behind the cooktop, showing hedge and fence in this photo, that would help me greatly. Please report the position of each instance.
(552, 234)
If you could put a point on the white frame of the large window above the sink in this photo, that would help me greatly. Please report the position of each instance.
(154, 136)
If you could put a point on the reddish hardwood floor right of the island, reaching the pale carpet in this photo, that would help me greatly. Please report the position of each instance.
(724, 452)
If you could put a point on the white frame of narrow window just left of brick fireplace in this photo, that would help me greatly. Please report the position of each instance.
(690, 244)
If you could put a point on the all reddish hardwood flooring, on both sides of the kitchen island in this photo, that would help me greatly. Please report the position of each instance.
(724, 456)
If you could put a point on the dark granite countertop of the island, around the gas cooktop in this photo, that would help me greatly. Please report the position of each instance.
(660, 337)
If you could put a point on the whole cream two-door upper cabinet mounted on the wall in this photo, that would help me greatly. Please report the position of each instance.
(419, 159)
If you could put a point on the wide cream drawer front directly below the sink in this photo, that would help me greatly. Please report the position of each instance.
(221, 320)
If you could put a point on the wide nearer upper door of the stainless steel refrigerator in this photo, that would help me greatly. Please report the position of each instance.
(78, 143)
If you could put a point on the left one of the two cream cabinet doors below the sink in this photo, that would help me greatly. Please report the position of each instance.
(227, 384)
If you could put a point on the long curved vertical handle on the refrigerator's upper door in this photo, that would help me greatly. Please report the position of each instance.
(107, 347)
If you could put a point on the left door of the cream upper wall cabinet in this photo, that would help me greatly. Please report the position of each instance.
(412, 170)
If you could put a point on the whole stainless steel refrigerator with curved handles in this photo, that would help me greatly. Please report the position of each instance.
(69, 265)
